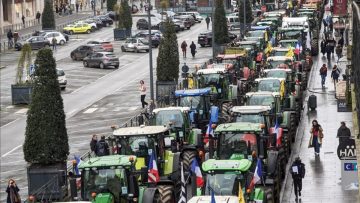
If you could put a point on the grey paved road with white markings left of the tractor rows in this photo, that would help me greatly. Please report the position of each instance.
(94, 101)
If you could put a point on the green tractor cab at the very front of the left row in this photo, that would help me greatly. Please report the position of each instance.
(109, 179)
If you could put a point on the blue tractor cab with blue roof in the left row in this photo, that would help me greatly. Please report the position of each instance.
(198, 100)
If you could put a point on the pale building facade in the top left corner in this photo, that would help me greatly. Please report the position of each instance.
(13, 10)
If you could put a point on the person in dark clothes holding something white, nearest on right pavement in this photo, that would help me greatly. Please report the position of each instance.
(297, 171)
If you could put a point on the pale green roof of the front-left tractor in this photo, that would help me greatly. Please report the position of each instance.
(107, 161)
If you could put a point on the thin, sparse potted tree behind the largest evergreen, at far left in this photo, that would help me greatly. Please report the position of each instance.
(21, 90)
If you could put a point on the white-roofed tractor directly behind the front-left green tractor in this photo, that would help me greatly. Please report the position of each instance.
(144, 141)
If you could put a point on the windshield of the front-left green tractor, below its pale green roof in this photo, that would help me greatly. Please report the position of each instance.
(104, 181)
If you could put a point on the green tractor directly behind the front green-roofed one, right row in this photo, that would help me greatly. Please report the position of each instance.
(243, 140)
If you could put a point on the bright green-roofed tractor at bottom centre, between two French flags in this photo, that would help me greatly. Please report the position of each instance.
(224, 177)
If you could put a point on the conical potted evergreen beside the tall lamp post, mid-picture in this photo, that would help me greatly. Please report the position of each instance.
(167, 69)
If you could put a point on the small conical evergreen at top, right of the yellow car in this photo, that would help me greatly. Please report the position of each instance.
(124, 23)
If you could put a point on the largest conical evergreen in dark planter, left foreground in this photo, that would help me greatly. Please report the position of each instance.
(46, 145)
